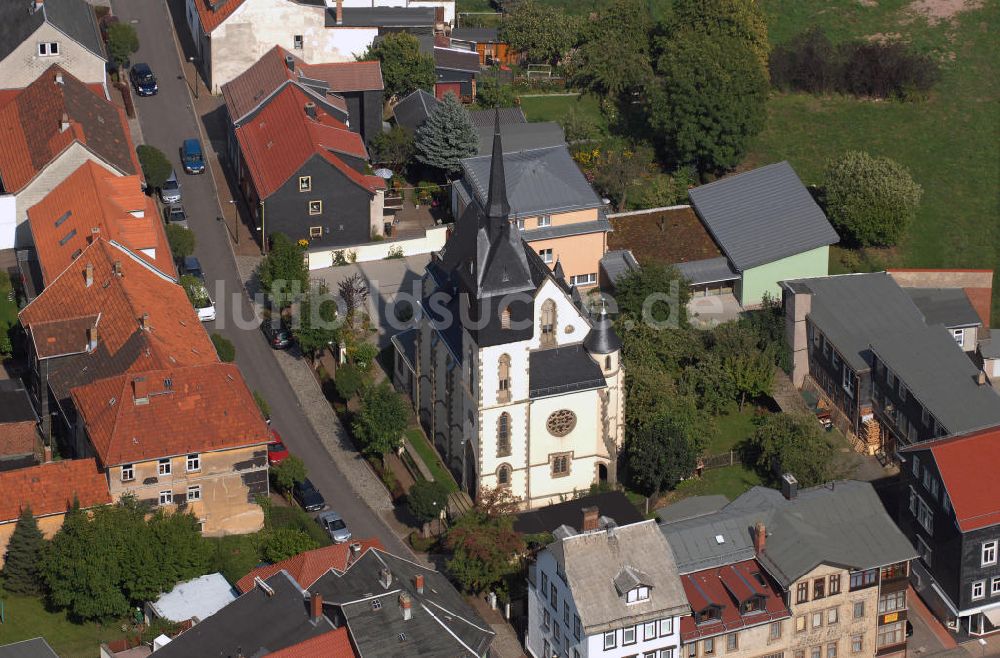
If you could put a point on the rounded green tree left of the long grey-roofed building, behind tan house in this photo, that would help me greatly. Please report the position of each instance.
(786, 443)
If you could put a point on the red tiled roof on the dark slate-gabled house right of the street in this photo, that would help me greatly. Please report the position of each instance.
(281, 137)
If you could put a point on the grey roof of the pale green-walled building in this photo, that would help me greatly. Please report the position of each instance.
(762, 216)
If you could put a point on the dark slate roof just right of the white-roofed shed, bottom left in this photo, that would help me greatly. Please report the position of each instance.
(256, 623)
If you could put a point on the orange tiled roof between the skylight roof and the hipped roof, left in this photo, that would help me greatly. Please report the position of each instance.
(58, 319)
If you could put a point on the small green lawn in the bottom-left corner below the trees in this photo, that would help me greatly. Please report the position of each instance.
(25, 617)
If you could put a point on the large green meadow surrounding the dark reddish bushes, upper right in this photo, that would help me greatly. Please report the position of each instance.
(950, 142)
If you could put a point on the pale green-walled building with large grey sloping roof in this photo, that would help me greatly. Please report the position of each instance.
(768, 227)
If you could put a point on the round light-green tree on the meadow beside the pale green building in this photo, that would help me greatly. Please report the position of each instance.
(871, 199)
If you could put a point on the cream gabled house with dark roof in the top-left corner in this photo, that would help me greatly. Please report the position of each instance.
(34, 35)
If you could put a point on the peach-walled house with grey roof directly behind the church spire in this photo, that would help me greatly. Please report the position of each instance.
(556, 210)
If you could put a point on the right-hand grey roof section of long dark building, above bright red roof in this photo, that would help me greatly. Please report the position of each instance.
(940, 375)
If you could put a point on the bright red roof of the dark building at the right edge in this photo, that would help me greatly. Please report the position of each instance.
(968, 466)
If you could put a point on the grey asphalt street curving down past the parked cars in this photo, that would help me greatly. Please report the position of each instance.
(167, 119)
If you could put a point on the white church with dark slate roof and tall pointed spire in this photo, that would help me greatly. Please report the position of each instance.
(514, 383)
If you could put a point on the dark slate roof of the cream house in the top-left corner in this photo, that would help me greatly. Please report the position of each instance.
(74, 18)
